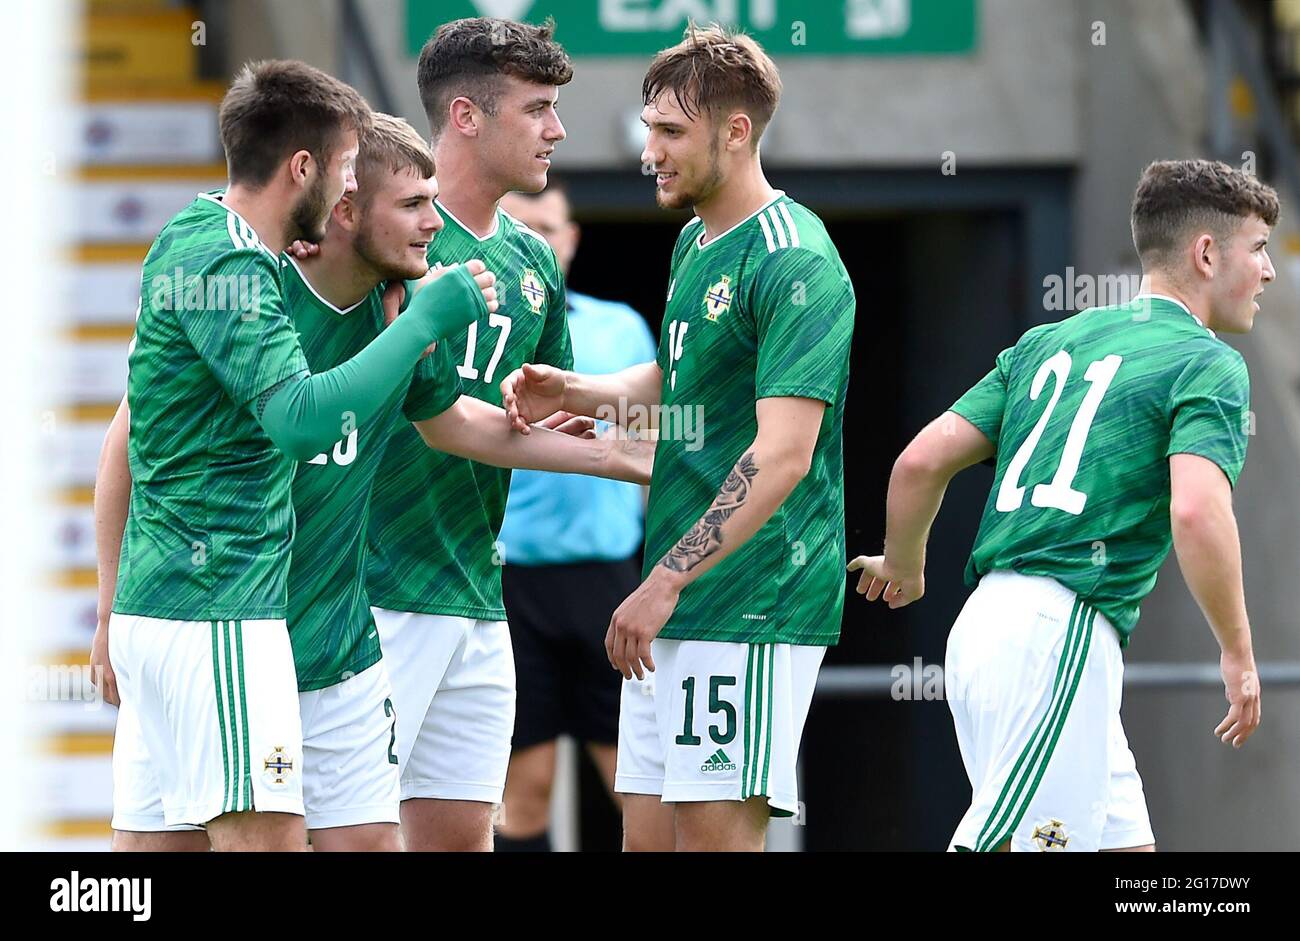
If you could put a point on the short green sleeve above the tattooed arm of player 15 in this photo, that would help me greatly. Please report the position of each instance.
(804, 318)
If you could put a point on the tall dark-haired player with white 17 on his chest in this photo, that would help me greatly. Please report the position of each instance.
(489, 89)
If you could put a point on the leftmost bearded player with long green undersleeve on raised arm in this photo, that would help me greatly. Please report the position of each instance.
(222, 404)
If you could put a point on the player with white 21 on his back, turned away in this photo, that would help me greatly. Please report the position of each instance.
(1117, 433)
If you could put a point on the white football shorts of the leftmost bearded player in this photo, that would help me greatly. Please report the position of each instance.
(210, 722)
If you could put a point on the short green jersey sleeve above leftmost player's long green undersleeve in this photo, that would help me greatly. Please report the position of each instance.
(242, 331)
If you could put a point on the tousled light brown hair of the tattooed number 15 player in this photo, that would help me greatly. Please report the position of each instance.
(717, 71)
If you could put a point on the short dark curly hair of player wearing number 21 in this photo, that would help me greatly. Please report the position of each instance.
(1178, 198)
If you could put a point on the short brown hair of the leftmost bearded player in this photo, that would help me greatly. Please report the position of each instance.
(279, 107)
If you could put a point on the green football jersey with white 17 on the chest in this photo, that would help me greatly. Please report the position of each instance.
(435, 518)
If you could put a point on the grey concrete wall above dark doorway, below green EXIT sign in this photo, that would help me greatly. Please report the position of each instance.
(1011, 103)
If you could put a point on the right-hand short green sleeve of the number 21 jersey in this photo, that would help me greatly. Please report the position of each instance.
(1210, 409)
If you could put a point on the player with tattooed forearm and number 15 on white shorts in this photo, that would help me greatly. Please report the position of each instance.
(742, 589)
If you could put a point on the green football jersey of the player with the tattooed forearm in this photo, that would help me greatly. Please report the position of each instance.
(764, 310)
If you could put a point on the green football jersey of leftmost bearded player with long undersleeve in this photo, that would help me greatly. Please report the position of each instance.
(210, 526)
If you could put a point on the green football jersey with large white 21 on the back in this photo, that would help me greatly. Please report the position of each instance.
(1085, 415)
